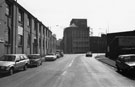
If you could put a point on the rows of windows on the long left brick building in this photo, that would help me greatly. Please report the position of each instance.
(9, 14)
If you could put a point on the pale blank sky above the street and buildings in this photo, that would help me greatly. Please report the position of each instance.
(103, 16)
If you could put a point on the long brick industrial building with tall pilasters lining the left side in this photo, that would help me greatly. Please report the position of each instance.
(21, 32)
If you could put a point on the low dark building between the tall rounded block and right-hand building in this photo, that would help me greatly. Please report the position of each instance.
(98, 44)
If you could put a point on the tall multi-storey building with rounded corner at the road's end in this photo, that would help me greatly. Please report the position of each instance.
(76, 37)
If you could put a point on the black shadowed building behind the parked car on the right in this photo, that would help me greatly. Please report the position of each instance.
(120, 43)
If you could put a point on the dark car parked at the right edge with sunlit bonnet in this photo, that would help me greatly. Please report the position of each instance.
(126, 62)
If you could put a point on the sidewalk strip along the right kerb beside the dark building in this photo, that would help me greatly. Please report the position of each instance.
(106, 60)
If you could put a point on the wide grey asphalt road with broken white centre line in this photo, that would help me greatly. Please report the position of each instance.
(74, 70)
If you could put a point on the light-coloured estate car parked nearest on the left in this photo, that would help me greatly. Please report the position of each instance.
(11, 62)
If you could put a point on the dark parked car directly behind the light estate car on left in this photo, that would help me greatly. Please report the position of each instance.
(35, 59)
